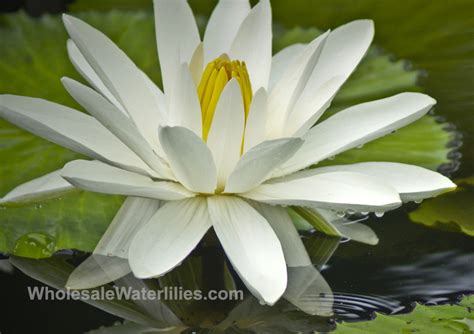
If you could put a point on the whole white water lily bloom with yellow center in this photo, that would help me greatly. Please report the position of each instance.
(225, 146)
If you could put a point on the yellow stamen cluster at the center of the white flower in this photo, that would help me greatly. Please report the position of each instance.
(216, 75)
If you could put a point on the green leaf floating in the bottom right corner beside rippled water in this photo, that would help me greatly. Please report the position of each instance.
(443, 319)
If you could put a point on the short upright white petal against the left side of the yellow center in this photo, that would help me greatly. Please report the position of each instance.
(184, 109)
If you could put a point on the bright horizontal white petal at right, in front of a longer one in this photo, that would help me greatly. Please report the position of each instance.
(337, 191)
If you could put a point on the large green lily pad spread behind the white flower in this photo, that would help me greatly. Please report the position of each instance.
(32, 60)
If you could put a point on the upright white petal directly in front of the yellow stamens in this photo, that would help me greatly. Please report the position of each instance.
(226, 132)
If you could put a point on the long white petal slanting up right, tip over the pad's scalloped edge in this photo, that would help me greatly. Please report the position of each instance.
(356, 126)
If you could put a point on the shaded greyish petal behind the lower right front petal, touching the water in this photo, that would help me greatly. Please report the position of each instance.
(293, 248)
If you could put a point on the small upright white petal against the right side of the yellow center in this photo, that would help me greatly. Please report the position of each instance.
(256, 120)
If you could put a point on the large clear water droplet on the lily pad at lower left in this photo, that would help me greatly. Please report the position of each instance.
(35, 245)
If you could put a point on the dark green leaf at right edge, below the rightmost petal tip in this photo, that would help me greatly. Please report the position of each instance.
(452, 212)
